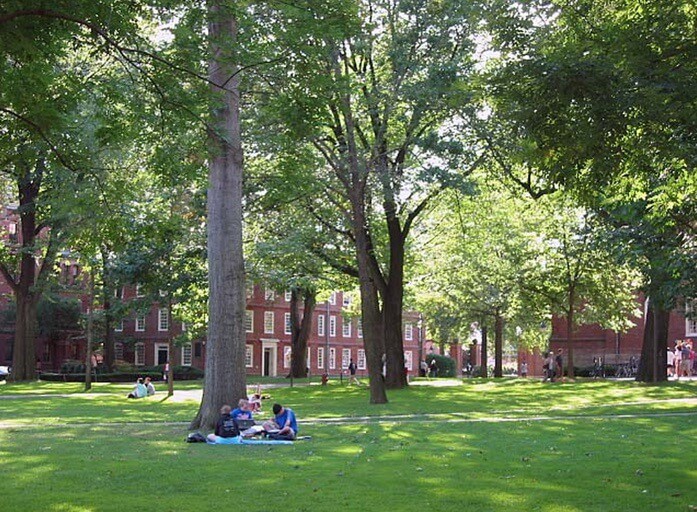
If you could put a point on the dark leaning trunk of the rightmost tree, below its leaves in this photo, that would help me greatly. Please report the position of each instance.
(652, 365)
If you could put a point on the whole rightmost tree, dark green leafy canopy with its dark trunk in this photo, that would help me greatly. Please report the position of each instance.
(616, 127)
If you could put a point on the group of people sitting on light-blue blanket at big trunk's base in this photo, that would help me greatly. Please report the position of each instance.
(239, 422)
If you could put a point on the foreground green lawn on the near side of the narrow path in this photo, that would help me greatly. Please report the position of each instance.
(559, 465)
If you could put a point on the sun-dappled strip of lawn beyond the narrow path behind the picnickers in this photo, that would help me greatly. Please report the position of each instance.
(473, 399)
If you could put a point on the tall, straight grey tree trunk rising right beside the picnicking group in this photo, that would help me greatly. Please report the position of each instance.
(225, 380)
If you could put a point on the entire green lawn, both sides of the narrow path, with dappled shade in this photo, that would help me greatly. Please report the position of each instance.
(482, 445)
